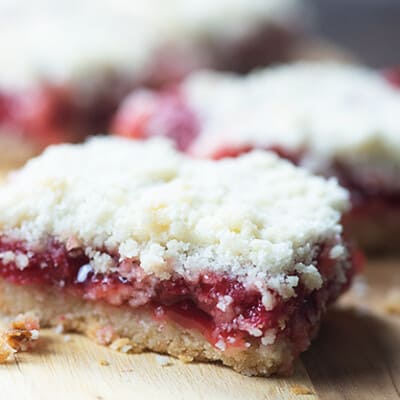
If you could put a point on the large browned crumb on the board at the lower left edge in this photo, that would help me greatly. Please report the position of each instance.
(20, 335)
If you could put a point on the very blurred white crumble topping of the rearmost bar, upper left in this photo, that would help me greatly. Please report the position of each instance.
(66, 41)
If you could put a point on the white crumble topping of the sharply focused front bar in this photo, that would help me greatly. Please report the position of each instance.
(257, 217)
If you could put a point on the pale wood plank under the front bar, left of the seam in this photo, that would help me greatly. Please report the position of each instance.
(72, 370)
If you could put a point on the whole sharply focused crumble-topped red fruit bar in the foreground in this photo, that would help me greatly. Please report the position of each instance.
(134, 242)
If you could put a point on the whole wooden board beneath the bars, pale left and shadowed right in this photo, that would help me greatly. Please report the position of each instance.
(357, 356)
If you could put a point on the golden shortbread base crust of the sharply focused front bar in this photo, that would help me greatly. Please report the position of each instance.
(137, 331)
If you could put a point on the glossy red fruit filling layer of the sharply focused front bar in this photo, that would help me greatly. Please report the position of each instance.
(219, 307)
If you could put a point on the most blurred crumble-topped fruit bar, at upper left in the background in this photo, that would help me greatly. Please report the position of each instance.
(66, 65)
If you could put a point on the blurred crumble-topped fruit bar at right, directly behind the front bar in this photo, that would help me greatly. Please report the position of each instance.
(336, 120)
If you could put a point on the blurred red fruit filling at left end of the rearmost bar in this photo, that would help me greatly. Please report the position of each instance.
(52, 115)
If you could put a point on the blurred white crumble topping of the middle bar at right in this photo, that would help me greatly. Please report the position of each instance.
(331, 110)
